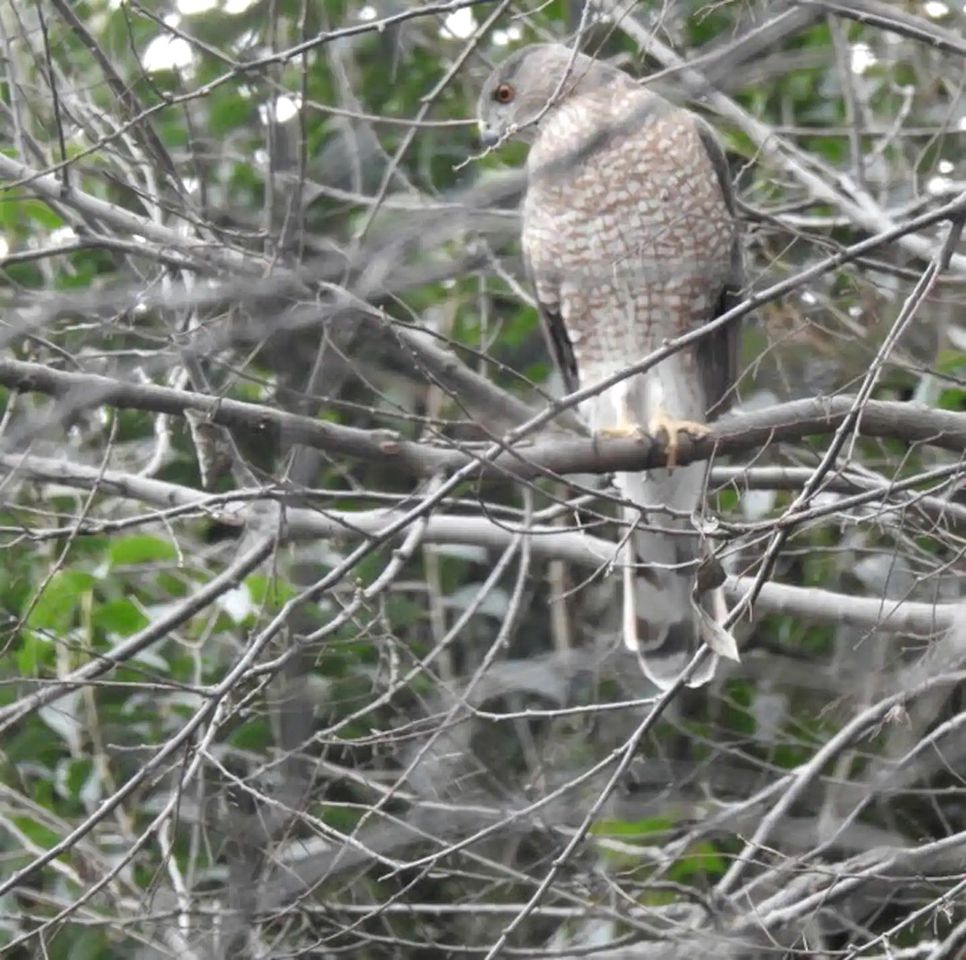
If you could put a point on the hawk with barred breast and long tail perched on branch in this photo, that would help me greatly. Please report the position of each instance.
(630, 237)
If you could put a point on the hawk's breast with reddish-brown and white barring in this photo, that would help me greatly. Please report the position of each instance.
(634, 234)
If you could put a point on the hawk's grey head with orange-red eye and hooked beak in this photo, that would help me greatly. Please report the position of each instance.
(516, 95)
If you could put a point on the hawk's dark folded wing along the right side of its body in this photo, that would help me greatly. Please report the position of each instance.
(717, 353)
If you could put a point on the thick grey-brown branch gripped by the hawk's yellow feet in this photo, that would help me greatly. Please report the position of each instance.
(553, 454)
